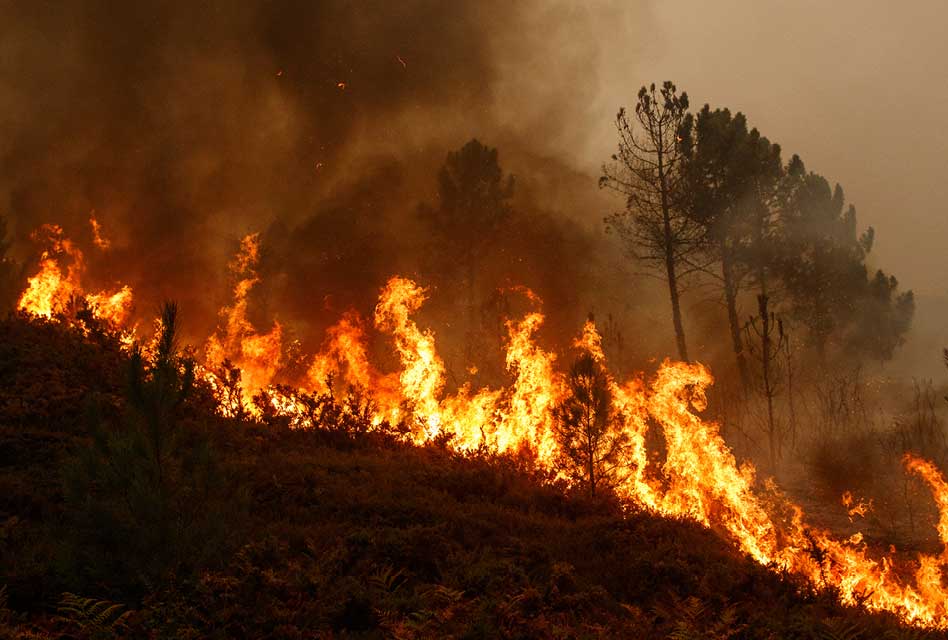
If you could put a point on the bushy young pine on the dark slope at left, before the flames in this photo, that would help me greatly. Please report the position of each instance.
(142, 495)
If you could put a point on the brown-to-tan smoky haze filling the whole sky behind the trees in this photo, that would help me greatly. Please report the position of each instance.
(322, 125)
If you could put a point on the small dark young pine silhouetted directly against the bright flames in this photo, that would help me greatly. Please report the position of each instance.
(586, 427)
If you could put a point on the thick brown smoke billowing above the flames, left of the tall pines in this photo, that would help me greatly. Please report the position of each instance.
(183, 127)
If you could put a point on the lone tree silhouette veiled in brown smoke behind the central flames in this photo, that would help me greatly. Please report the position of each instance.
(473, 201)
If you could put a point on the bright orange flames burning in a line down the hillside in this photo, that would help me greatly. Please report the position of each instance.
(699, 478)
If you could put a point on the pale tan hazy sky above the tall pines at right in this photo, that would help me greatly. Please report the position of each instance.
(858, 88)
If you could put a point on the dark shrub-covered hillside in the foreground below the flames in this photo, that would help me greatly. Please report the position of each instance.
(340, 533)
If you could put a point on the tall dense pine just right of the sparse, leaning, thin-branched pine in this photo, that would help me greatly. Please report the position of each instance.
(731, 175)
